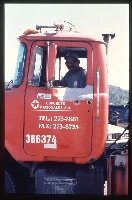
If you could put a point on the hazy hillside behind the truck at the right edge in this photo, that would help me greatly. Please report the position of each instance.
(118, 96)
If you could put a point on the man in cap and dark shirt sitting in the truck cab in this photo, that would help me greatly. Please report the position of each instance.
(76, 76)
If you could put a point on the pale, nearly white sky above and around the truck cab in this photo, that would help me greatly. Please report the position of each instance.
(94, 19)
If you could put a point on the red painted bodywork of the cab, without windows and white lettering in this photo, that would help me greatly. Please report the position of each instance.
(73, 145)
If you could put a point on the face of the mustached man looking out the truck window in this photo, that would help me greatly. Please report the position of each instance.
(72, 63)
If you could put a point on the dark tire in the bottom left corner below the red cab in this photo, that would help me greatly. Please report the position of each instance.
(10, 186)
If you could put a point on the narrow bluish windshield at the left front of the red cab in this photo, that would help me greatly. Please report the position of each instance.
(20, 65)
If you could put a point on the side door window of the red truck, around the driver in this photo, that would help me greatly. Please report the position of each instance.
(38, 64)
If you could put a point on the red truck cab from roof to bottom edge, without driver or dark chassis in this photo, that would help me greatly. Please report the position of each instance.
(49, 123)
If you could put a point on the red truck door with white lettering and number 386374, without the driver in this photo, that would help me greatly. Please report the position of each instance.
(58, 120)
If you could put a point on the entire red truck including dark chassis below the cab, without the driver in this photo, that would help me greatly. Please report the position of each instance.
(55, 136)
